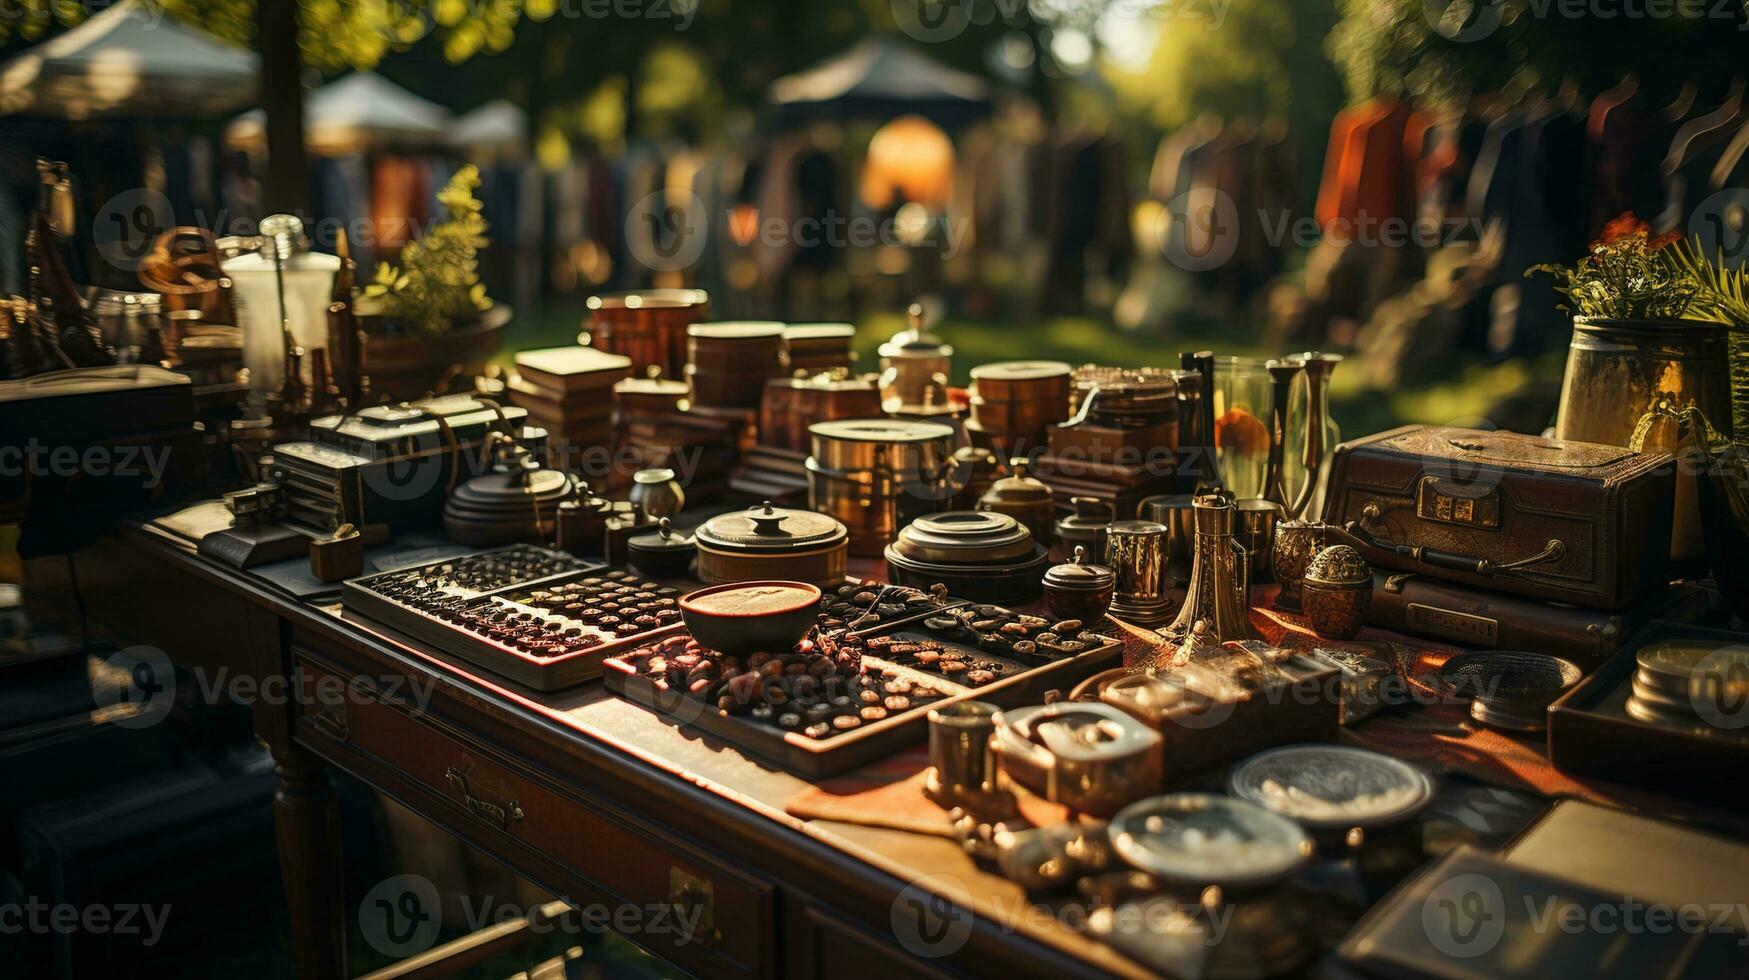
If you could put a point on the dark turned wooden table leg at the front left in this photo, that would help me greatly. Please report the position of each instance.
(307, 827)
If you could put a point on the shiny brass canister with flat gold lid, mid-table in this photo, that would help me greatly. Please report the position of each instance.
(877, 475)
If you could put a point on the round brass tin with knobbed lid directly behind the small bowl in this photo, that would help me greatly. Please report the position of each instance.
(772, 543)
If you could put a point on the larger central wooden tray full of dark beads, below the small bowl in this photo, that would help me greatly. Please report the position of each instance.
(837, 701)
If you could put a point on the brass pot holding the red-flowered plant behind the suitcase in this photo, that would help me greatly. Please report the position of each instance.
(1617, 370)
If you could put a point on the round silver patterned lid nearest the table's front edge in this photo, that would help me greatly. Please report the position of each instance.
(1202, 839)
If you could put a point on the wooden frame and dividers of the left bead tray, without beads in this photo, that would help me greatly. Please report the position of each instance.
(540, 673)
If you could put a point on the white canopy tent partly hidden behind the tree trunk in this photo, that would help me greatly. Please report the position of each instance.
(358, 111)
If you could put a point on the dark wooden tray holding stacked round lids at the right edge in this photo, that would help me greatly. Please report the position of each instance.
(1592, 734)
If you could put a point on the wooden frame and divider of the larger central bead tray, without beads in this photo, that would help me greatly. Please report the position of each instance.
(818, 759)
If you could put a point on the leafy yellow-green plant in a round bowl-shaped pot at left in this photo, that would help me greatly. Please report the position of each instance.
(429, 321)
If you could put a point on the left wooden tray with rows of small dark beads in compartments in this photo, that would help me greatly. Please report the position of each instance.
(550, 633)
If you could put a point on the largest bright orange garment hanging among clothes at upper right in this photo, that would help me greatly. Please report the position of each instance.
(1365, 169)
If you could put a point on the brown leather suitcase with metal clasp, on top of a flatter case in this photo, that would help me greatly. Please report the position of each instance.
(1543, 519)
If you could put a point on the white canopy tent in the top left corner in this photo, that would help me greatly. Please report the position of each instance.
(130, 60)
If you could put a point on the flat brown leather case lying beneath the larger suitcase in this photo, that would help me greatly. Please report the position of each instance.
(1488, 620)
